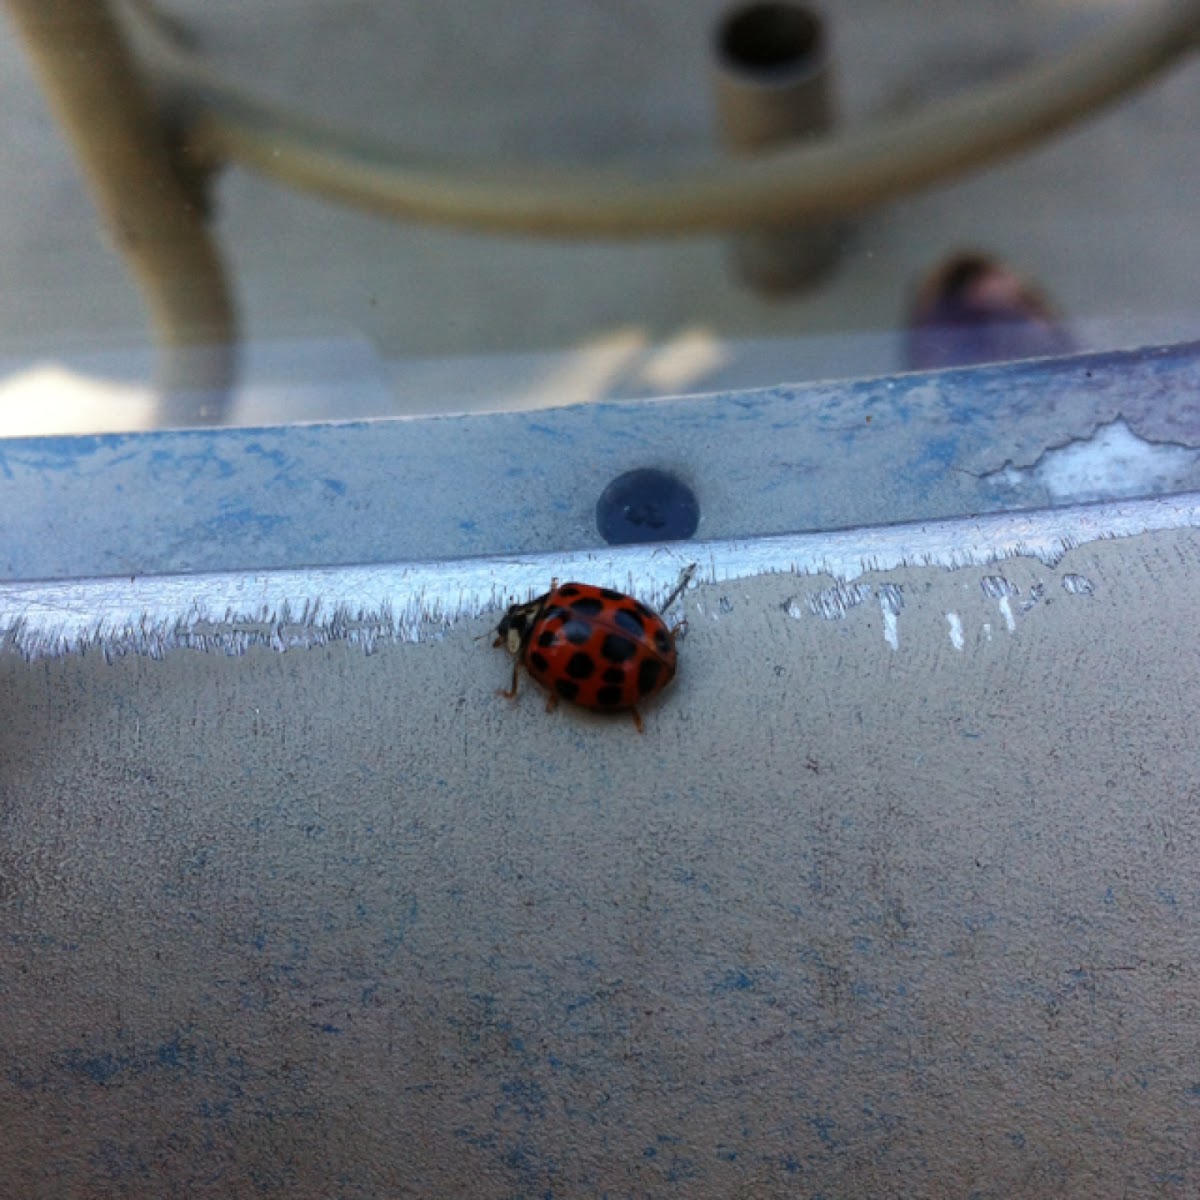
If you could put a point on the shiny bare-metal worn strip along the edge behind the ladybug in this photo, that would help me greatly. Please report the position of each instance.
(231, 613)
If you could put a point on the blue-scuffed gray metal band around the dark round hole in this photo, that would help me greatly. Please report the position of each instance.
(789, 459)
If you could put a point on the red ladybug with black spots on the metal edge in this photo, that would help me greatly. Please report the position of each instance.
(593, 647)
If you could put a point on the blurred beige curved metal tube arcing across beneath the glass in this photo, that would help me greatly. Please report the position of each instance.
(863, 167)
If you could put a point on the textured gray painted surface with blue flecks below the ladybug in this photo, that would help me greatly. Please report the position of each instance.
(857, 916)
